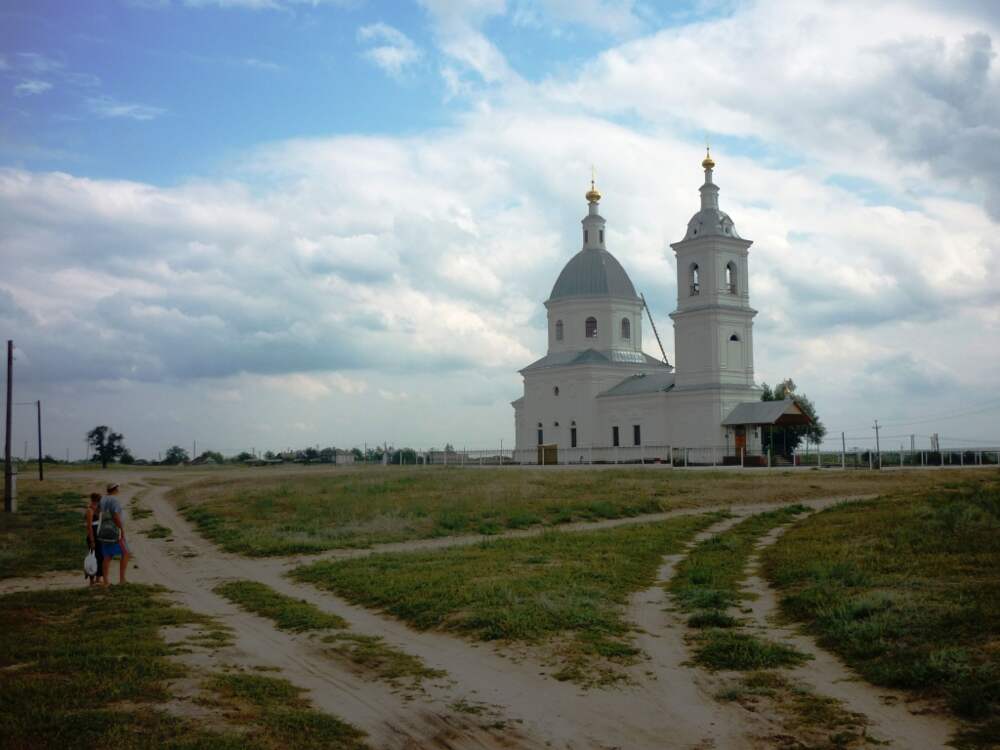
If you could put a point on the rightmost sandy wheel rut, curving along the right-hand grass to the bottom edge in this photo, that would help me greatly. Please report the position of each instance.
(893, 716)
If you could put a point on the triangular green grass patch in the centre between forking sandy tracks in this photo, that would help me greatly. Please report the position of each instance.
(568, 589)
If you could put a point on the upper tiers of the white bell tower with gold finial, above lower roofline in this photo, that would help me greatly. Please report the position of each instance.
(713, 322)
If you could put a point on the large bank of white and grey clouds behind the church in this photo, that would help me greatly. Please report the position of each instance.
(420, 268)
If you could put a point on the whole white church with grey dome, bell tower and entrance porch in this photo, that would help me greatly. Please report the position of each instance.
(596, 395)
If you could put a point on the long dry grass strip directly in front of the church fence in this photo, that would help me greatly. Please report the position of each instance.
(260, 513)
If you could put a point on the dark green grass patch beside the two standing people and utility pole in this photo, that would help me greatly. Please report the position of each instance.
(47, 533)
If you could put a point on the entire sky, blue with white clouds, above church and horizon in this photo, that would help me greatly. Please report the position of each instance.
(263, 223)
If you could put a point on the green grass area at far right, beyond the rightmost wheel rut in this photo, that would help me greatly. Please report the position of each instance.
(907, 591)
